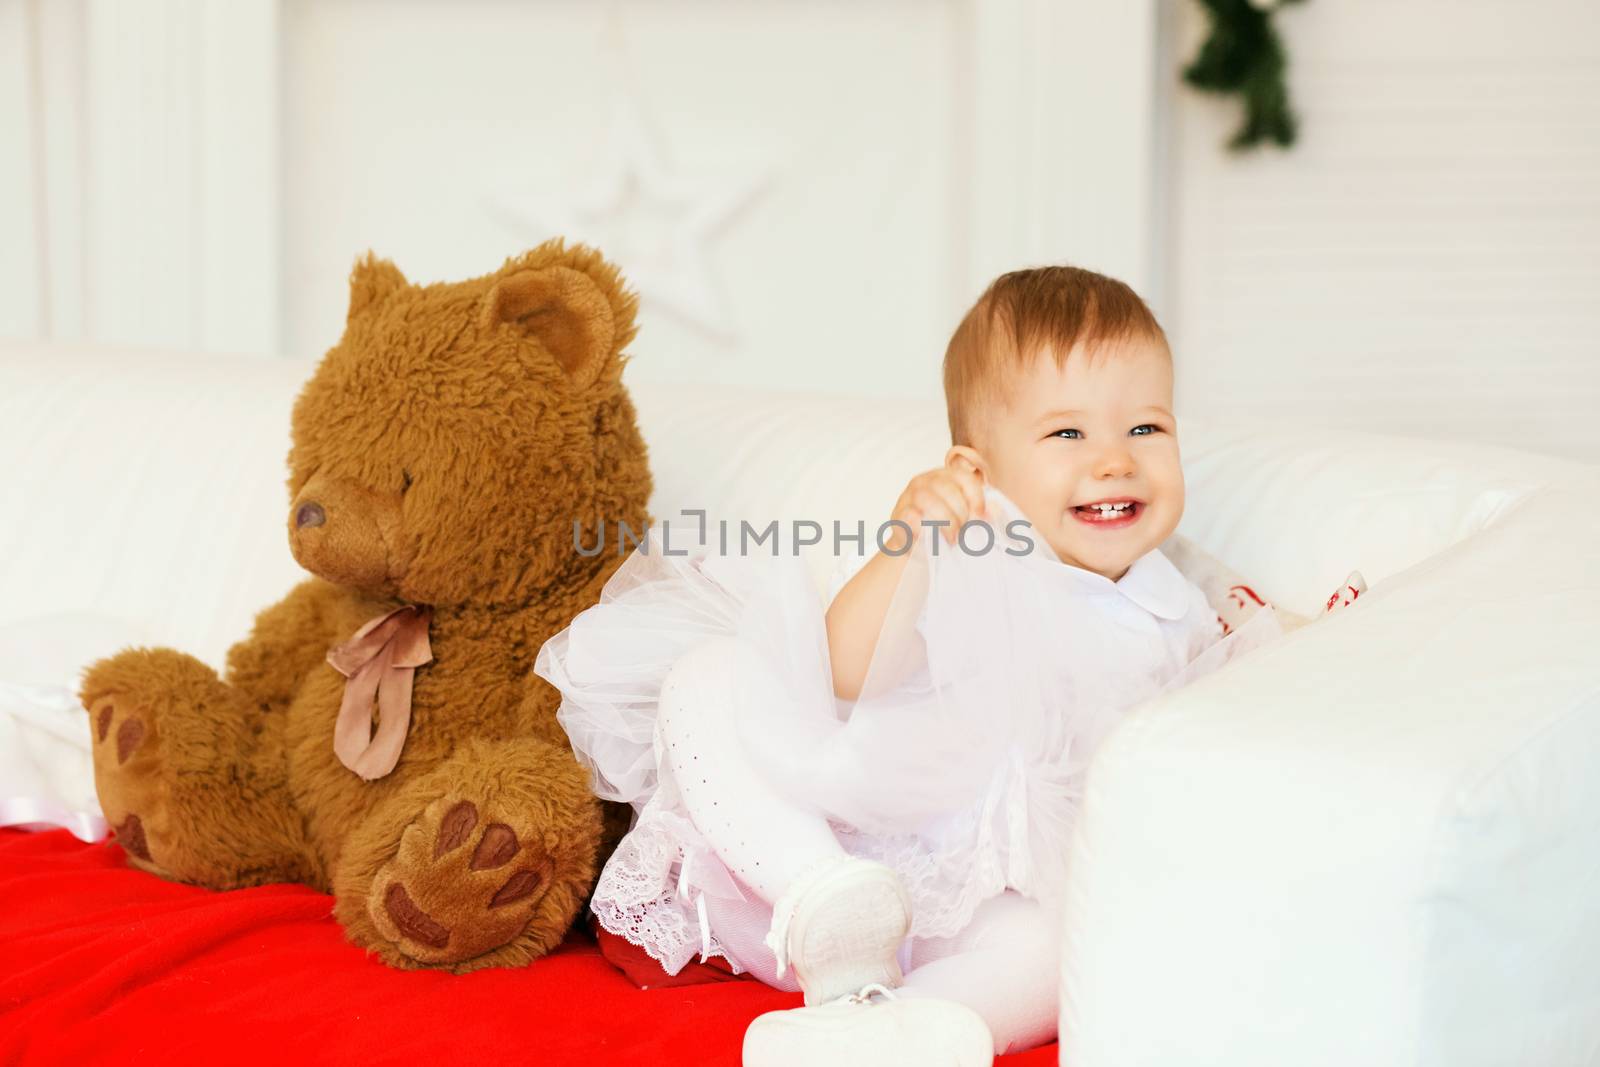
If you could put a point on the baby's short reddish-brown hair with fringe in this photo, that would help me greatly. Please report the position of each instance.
(1023, 313)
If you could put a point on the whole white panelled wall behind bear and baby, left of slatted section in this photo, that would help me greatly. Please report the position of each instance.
(820, 188)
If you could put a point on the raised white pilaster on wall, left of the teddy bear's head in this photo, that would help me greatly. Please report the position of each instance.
(182, 230)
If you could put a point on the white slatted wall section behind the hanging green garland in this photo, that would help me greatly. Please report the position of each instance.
(1428, 258)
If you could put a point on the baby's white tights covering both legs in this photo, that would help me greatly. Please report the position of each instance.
(1004, 965)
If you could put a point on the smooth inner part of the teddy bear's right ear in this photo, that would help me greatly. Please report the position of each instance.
(564, 310)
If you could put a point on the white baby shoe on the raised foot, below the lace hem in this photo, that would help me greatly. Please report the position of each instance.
(841, 929)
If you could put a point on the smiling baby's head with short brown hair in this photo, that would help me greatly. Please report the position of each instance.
(1060, 390)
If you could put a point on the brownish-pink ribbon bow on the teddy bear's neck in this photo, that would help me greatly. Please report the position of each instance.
(378, 661)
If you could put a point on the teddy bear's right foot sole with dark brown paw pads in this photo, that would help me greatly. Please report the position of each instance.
(460, 887)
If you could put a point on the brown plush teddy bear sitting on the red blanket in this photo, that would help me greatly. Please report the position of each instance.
(441, 458)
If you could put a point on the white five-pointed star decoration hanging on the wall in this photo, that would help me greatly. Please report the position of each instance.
(654, 223)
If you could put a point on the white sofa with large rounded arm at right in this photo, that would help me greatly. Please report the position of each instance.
(1375, 842)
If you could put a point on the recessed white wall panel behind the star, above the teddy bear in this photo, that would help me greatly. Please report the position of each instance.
(834, 119)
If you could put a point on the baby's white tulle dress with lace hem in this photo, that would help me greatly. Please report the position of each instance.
(962, 762)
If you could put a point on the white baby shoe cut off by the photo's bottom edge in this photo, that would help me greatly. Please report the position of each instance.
(871, 1029)
